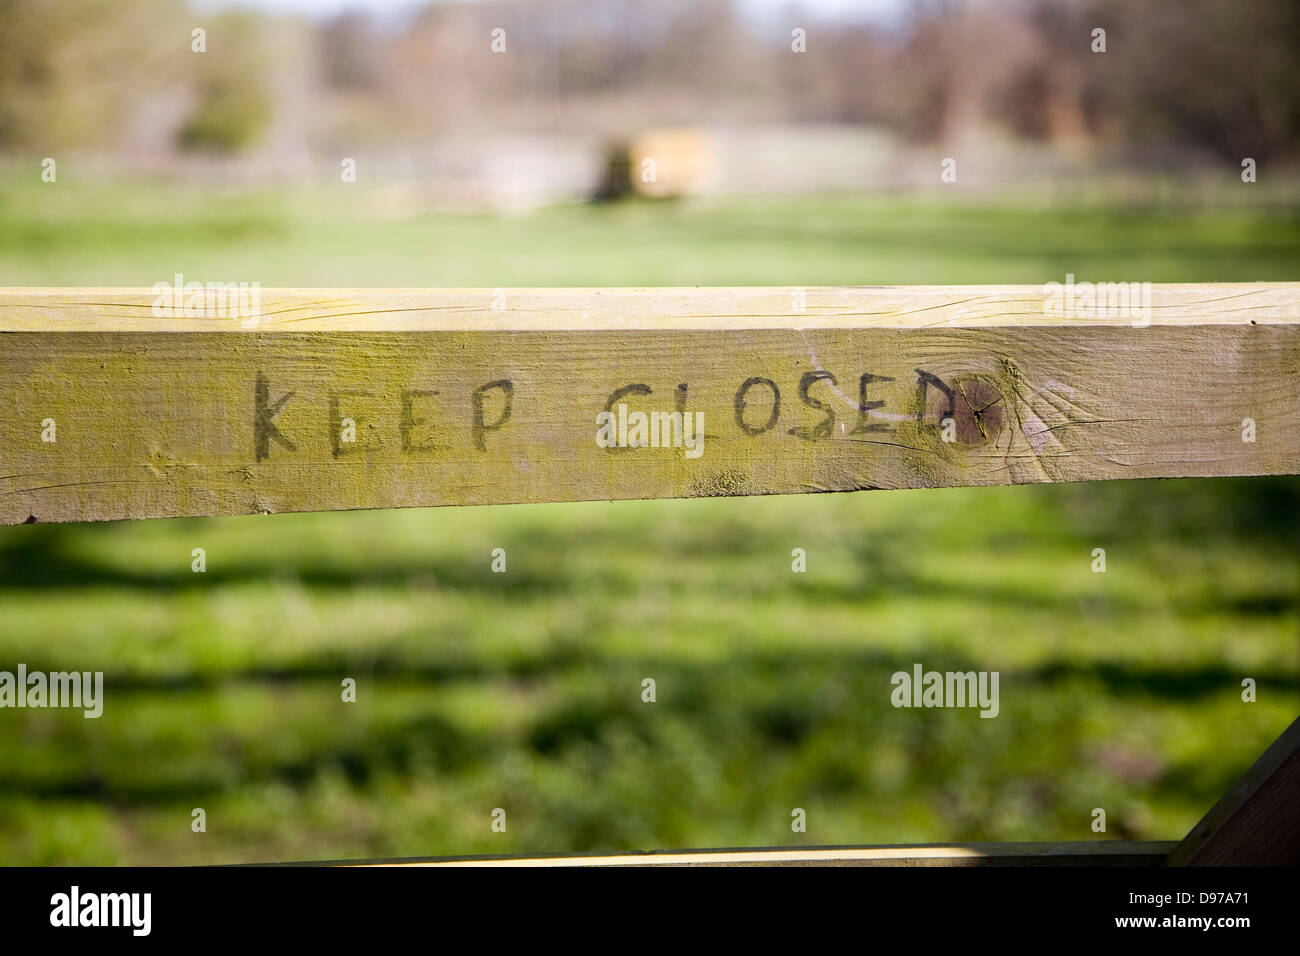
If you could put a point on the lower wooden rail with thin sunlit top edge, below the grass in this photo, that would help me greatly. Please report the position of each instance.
(1091, 854)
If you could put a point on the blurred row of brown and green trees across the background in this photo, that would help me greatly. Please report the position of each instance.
(1180, 79)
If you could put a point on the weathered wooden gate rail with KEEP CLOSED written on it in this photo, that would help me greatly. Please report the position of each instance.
(466, 397)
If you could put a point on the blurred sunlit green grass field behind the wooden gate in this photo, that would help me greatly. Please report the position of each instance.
(523, 691)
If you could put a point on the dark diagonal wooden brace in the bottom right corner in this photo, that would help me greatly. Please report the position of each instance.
(1258, 821)
